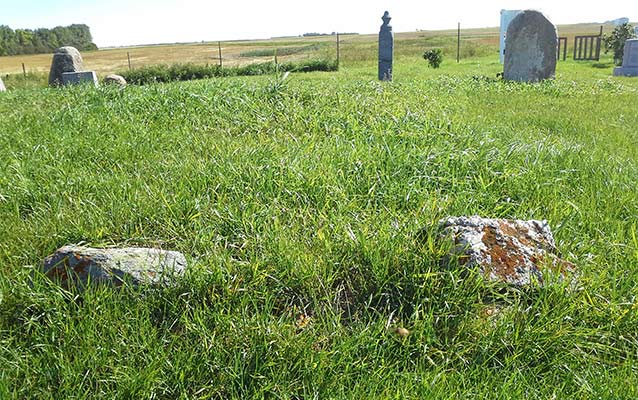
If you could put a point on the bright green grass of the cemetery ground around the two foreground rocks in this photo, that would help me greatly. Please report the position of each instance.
(308, 208)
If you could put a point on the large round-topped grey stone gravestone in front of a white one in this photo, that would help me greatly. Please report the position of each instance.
(530, 48)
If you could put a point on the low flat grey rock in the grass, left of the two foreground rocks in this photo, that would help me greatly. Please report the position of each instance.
(76, 266)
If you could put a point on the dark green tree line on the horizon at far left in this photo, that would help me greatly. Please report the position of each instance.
(27, 41)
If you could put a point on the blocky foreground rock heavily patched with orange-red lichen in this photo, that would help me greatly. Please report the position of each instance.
(515, 252)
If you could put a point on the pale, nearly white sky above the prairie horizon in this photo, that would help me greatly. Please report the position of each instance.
(130, 22)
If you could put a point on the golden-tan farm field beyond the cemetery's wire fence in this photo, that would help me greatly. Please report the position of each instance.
(354, 48)
